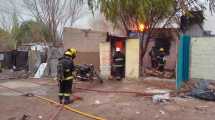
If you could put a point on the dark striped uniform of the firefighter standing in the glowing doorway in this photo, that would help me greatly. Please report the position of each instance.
(119, 65)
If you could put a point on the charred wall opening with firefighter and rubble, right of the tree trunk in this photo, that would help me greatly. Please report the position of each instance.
(160, 57)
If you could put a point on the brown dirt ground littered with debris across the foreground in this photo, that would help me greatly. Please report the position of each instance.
(110, 106)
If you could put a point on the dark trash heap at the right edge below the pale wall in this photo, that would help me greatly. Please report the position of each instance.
(204, 90)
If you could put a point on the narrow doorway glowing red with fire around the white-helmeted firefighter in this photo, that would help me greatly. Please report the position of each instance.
(117, 43)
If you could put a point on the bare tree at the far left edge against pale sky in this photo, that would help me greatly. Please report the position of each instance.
(10, 18)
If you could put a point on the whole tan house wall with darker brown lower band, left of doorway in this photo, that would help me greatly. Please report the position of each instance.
(86, 42)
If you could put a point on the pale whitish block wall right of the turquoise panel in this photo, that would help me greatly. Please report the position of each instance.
(203, 58)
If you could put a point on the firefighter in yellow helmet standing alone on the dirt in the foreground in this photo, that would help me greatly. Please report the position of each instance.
(65, 77)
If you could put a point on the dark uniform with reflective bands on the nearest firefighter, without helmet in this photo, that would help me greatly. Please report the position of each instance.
(65, 84)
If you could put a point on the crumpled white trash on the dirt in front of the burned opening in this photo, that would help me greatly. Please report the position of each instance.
(161, 98)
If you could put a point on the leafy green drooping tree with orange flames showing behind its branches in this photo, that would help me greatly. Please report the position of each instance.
(133, 13)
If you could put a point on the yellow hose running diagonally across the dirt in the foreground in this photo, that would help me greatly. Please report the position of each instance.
(71, 109)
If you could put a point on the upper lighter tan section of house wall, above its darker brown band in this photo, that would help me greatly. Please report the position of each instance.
(83, 40)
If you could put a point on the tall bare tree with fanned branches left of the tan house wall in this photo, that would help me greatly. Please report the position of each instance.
(55, 14)
